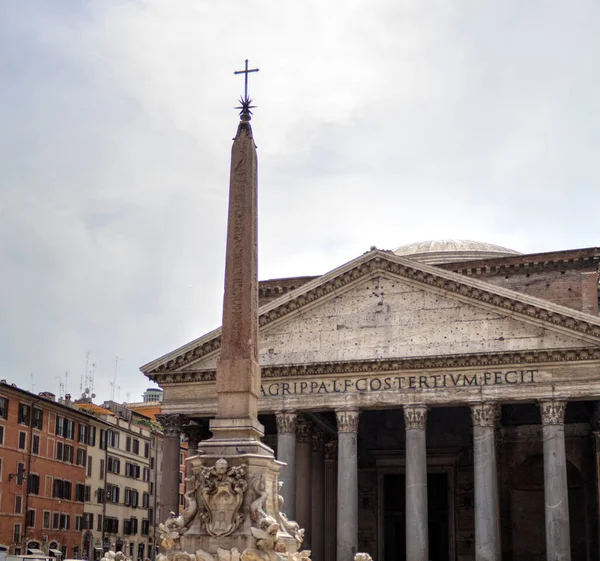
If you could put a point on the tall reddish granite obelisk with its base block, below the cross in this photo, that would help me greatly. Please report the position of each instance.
(238, 372)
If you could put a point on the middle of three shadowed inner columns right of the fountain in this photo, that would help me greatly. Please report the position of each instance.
(318, 499)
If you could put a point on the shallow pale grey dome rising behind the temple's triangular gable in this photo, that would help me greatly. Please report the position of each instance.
(434, 252)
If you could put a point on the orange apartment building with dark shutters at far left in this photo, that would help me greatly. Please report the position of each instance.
(43, 456)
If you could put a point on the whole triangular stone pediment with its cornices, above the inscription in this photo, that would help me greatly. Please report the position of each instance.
(381, 307)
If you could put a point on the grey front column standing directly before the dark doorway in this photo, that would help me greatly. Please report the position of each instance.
(417, 535)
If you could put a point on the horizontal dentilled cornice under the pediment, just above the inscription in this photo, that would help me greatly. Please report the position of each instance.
(479, 360)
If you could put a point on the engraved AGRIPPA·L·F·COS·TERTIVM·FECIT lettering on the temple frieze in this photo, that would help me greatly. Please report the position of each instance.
(364, 384)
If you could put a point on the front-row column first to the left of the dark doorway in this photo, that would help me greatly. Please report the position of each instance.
(347, 500)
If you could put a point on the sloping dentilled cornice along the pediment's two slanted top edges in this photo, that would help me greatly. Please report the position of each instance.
(374, 262)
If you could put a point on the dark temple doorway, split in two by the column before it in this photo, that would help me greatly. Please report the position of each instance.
(394, 515)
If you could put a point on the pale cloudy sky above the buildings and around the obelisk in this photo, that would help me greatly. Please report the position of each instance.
(379, 122)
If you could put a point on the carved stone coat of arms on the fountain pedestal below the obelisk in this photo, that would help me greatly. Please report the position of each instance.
(222, 493)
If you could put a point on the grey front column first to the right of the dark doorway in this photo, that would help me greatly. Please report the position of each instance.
(487, 510)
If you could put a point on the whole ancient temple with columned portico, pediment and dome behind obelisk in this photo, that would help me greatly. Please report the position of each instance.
(438, 401)
